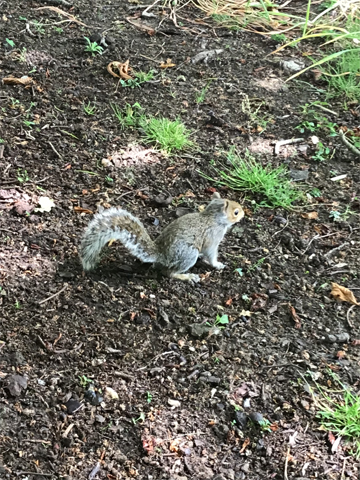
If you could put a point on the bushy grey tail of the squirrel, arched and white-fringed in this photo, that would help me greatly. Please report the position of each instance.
(116, 224)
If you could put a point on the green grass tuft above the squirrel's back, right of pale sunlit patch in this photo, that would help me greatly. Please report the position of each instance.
(169, 135)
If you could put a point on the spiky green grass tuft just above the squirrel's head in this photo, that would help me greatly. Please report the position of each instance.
(246, 174)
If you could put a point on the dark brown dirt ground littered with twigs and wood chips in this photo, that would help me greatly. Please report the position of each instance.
(121, 373)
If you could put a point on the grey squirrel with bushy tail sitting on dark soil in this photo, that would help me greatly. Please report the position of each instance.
(176, 249)
